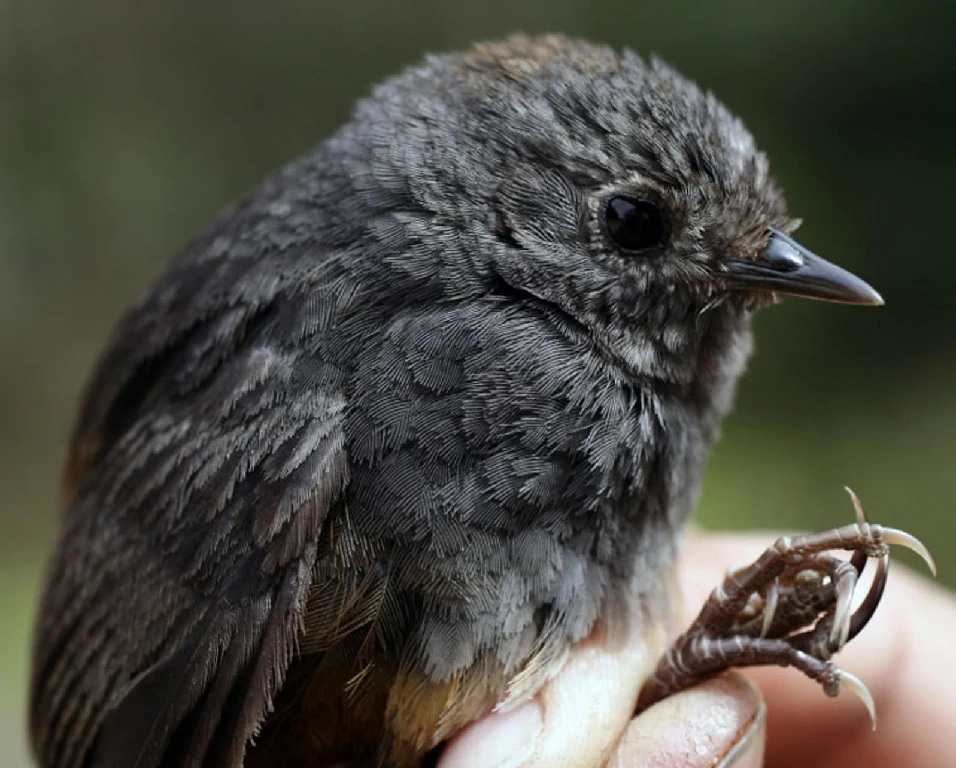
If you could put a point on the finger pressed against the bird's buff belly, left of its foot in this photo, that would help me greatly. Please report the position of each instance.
(577, 718)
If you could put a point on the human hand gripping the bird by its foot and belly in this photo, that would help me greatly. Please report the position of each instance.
(901, 657)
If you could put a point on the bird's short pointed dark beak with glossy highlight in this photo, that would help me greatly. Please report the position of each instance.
(785, 266)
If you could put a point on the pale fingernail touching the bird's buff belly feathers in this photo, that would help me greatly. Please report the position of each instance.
(498, 740)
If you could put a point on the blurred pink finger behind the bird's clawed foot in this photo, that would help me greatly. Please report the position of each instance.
(900, 657)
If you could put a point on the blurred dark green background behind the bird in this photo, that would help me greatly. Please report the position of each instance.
(124, 127)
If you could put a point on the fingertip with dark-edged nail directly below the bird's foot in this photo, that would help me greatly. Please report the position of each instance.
(720, 722)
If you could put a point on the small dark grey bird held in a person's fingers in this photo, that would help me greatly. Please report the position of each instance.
(407, 423)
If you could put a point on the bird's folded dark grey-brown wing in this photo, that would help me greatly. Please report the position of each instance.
(207, 456)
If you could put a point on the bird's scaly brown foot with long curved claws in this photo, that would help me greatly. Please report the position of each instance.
(791, 607)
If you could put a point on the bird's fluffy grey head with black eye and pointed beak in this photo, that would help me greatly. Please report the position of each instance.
(614, 190)
